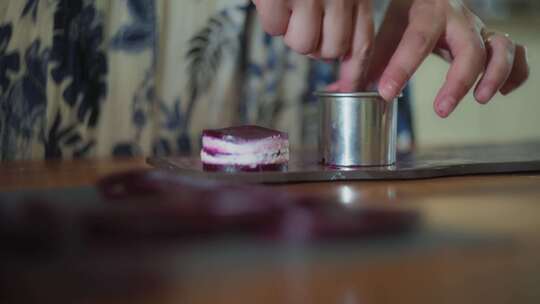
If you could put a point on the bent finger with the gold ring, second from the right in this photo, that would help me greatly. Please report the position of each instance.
(499, 66)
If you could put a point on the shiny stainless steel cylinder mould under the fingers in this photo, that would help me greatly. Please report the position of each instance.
(357, 129)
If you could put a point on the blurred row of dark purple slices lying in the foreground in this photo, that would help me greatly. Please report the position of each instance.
(158, 205)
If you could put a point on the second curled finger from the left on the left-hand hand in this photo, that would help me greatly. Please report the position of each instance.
(304, 28)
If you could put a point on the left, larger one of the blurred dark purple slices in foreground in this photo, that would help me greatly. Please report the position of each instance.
(156, 204)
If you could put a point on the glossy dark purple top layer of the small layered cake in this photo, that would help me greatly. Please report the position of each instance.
(244, 133)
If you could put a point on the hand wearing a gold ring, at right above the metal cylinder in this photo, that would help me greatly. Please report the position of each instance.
(415, 28)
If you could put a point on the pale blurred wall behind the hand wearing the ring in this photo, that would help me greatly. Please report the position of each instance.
(506, 119)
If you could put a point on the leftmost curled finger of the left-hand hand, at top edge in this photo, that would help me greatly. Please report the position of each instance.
(274, 16)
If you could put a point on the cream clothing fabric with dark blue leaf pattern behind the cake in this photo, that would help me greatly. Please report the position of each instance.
(100, 78)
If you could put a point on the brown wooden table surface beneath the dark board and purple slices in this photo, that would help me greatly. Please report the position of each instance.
(503, 212)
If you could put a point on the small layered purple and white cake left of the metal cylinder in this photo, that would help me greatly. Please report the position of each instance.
(245, 148)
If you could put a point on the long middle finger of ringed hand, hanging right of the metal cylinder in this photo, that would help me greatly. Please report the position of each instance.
(470, 57)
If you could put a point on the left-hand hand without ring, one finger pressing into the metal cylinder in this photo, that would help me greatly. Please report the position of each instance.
(325, 29)
